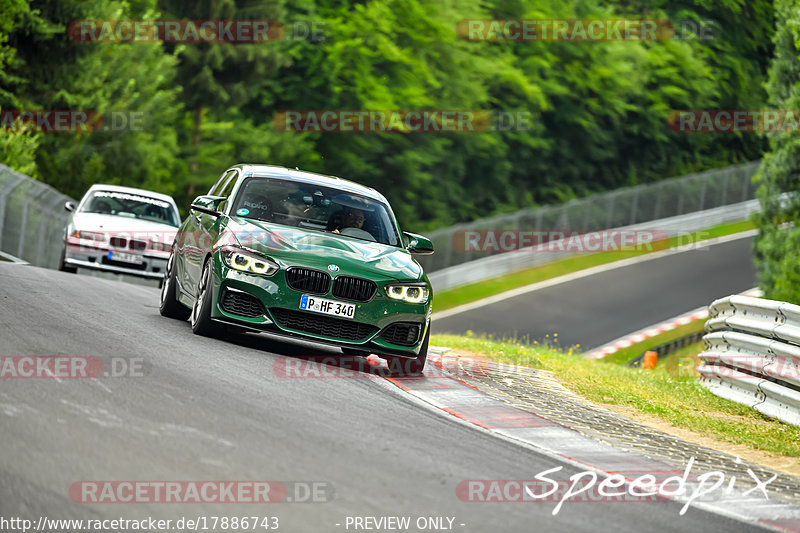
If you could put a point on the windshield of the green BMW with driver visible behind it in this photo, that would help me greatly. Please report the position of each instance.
(314, 207)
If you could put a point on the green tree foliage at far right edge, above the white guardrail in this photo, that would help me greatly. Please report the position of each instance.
(777, 245)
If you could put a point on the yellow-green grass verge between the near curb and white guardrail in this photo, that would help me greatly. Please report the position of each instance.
(670, 392)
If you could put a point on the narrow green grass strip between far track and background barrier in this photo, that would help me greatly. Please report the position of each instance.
(483, 289)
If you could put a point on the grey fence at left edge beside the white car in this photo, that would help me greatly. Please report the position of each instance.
(32, 219)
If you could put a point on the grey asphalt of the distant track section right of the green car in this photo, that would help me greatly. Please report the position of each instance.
(597, 309)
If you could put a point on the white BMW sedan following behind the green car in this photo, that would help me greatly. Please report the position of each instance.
(122, 230)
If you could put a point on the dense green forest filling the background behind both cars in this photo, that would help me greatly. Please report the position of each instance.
(597, 110)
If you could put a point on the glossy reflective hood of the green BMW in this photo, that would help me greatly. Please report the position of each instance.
(298, 246)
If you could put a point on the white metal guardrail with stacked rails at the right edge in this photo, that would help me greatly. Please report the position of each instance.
(752, 355)
